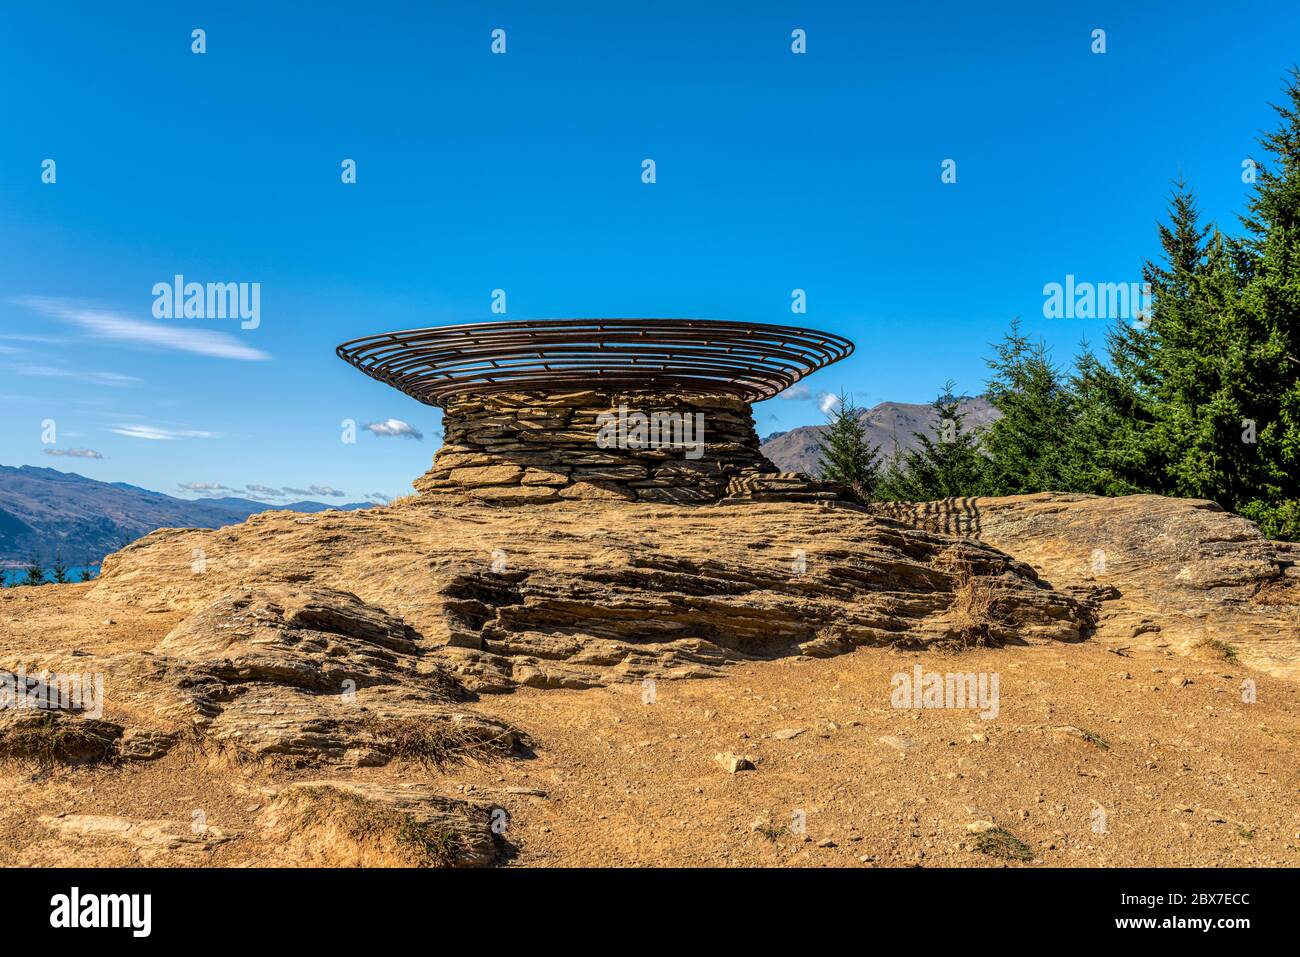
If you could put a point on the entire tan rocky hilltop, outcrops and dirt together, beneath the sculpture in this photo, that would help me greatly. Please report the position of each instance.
(309, 690)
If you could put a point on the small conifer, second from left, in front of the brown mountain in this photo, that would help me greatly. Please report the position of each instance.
(943, 467)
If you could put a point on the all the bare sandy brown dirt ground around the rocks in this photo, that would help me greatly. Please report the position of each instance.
(1193, 776)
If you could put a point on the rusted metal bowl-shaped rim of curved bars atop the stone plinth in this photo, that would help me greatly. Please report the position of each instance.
(751, 361)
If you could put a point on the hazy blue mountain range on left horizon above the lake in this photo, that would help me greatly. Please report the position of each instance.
(44, 512)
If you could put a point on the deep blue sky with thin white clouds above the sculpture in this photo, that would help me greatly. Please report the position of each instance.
(523, 172)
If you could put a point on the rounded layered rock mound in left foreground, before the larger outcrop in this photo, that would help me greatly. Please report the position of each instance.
(315, 677)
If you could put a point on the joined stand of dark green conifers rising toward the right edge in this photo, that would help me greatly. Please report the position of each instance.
(1202, 397)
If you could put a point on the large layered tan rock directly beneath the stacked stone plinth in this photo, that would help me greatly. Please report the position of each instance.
(570, 596)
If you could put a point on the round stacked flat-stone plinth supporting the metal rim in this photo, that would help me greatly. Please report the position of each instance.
(539, 447)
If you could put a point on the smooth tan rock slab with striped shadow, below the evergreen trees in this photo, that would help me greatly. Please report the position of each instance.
(1176, 573)
